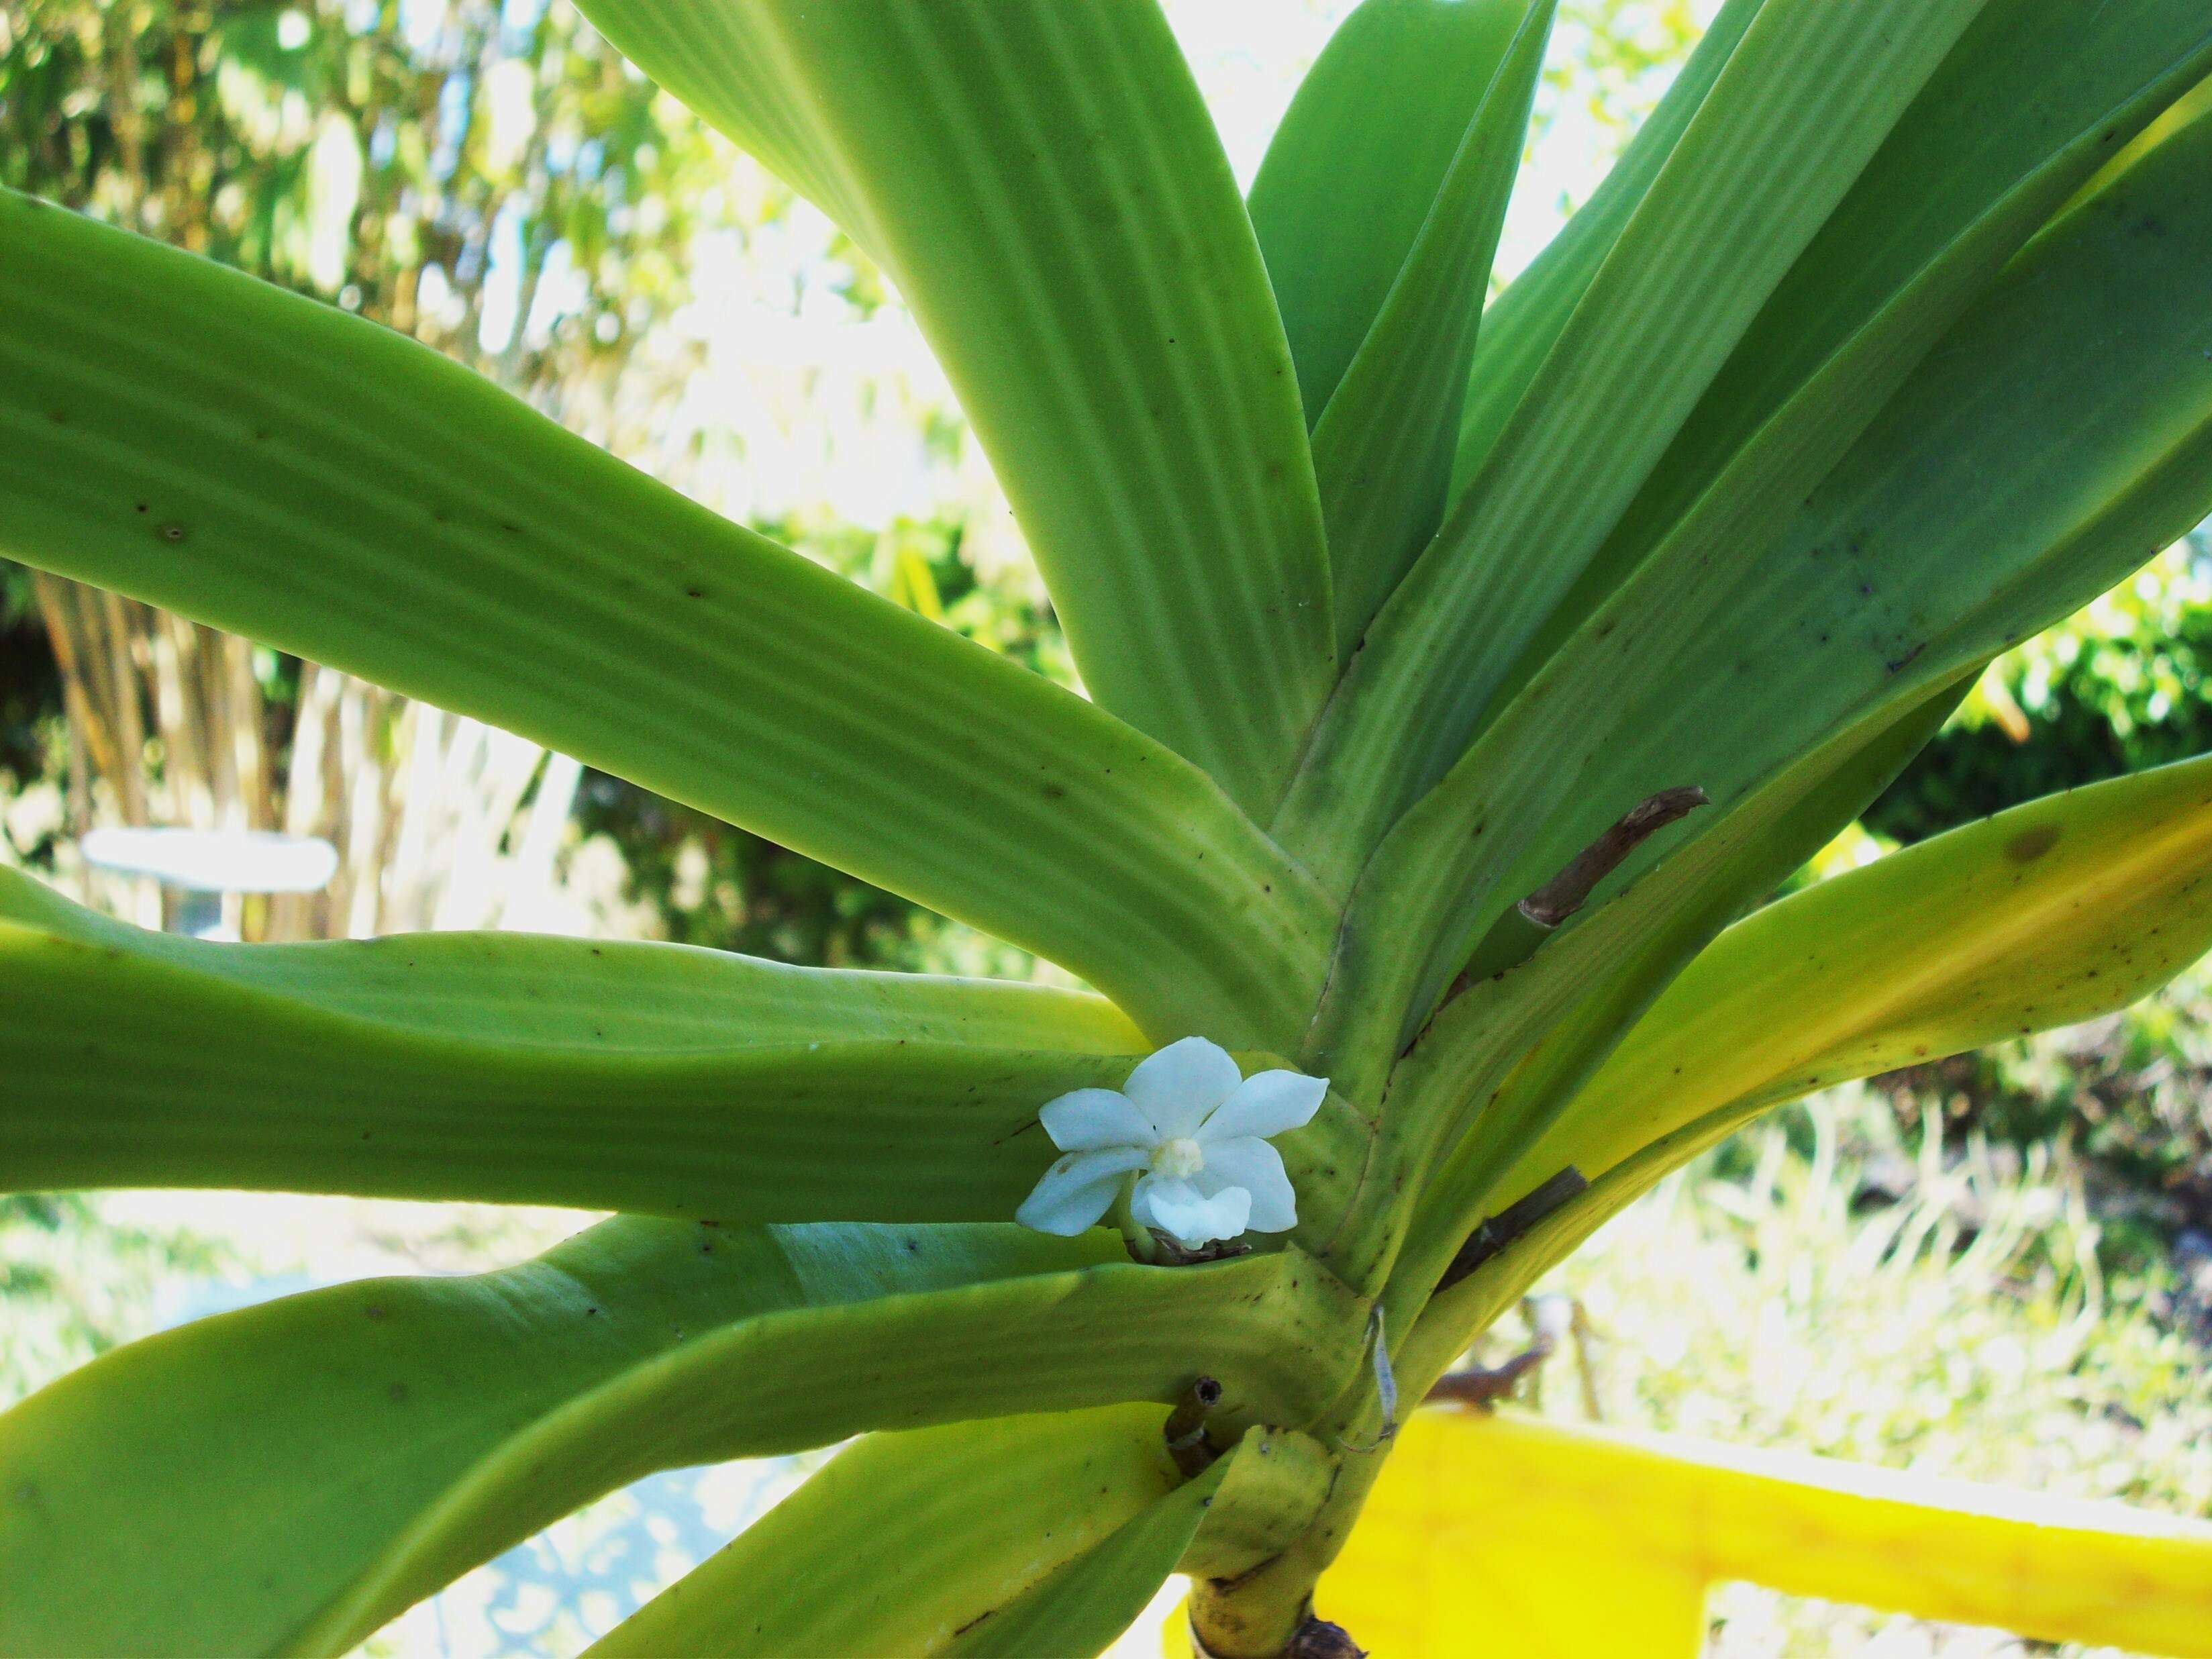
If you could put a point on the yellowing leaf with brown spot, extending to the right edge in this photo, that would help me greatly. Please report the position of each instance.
(2069, 939)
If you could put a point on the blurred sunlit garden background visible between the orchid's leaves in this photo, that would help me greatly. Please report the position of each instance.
(1999, 1266)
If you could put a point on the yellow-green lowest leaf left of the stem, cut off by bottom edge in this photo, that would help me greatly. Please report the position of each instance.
(910, 1541)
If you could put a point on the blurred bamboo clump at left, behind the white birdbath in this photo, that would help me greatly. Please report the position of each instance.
(490, 180)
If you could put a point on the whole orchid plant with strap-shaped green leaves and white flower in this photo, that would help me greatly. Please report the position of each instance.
(1463, 678)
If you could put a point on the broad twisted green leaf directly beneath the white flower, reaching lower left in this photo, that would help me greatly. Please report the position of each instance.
(291, 1477)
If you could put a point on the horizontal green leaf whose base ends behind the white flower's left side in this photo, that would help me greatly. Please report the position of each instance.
(528, 1070)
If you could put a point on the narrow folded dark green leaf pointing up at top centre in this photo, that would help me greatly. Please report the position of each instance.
(1384, 448)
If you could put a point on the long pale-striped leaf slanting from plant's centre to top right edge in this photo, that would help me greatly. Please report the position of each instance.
(1804, 103)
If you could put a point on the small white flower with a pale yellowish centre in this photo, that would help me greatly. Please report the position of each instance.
(1193, 1129)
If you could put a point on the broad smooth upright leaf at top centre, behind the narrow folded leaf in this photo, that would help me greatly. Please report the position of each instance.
(1357, 165)
